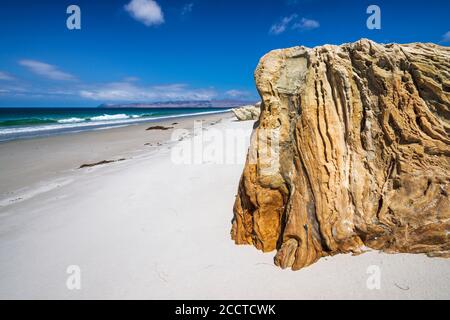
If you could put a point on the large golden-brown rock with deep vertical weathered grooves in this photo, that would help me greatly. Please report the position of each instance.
(363, 156)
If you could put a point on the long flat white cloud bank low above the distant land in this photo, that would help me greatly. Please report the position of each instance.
(126, 91)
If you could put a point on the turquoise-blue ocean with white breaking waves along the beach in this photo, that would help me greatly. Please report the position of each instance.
(18, 123)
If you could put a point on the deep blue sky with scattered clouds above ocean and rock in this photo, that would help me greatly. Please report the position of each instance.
(144, 50)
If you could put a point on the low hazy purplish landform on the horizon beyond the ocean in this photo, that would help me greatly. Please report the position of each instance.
(182, 104)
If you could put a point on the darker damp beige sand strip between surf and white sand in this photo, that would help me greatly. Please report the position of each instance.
(32, 163)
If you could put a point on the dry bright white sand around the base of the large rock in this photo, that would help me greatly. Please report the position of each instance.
(146, 228)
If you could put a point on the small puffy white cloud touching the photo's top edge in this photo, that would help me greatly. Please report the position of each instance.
(146, 11)
